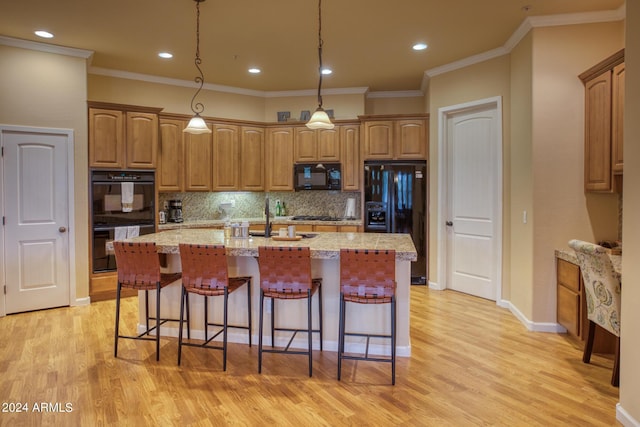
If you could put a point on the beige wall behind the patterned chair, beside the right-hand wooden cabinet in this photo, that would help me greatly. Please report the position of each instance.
(561, 209)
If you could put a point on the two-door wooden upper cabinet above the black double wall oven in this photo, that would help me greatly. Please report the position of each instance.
(122, 136)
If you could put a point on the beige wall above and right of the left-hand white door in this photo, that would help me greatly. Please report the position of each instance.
(47, 90)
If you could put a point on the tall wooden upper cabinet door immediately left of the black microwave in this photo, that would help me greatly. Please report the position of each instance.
(280, 159)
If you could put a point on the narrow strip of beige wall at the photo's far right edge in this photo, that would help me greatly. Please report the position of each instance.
(630, 322)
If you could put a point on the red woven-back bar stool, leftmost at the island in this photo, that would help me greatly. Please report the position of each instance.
(139, 268)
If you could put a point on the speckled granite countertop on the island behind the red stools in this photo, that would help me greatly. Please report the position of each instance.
(325, 245)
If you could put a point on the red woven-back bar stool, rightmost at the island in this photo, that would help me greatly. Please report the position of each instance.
(367, 277)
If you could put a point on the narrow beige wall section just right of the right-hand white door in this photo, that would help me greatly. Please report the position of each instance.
(521, 178)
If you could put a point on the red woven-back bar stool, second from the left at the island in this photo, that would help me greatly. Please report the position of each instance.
(205, 272)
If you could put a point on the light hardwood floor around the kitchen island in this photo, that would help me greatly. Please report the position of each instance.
(472, 364)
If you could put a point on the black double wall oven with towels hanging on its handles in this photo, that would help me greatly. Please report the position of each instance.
(122, 205)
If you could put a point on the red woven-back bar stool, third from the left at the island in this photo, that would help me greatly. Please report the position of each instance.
(285, 274)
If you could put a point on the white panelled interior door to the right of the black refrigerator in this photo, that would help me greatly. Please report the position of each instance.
(473, 199)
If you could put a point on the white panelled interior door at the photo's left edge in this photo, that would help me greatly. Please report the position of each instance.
(36, 220)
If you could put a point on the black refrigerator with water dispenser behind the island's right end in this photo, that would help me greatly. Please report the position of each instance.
(395, 194)
